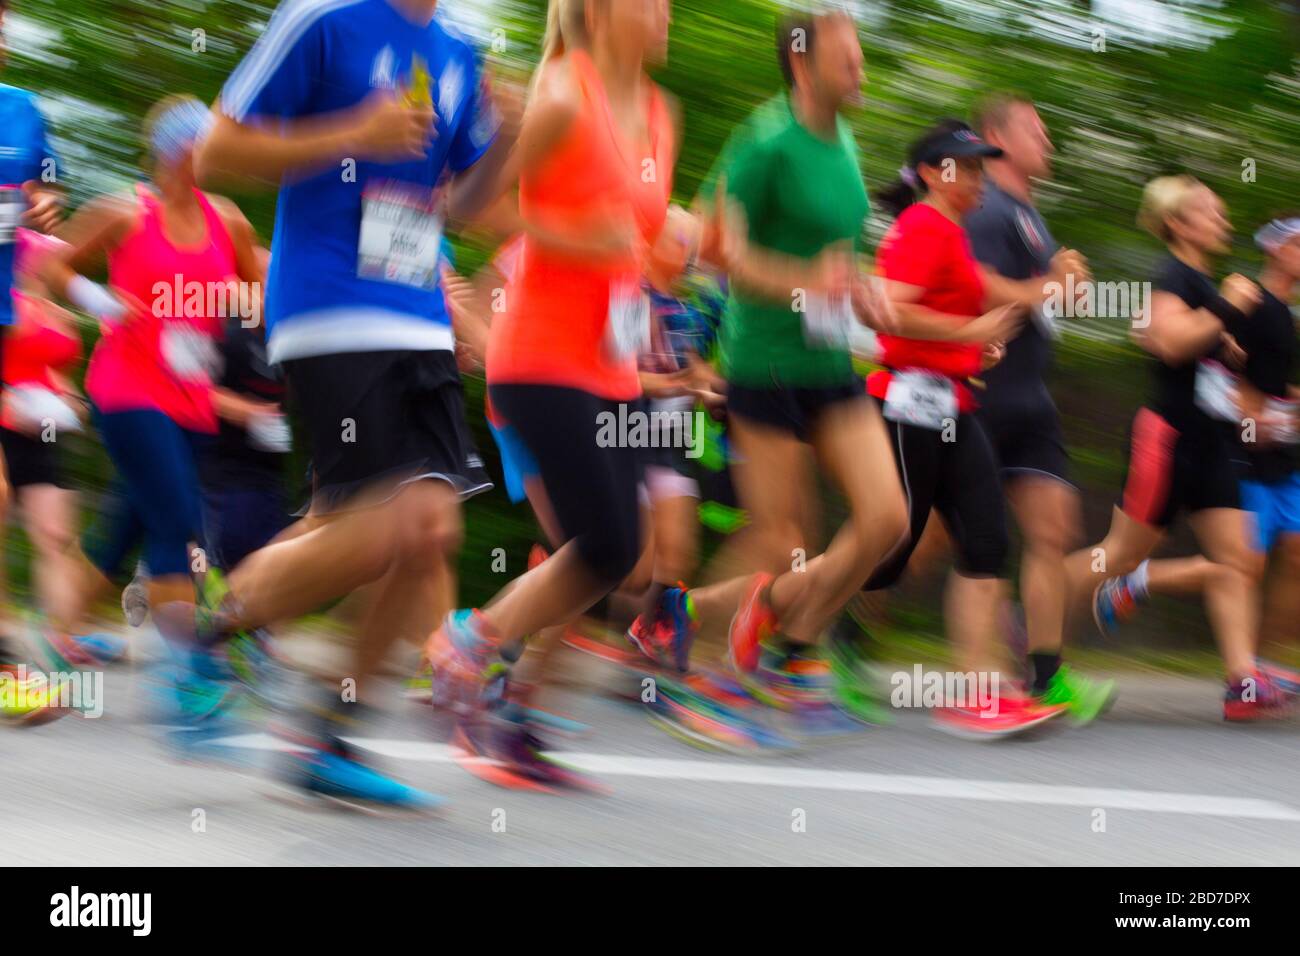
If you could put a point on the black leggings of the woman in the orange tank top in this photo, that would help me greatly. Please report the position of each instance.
(592, 488)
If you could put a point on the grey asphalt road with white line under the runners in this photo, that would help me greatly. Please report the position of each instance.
(1160, 781)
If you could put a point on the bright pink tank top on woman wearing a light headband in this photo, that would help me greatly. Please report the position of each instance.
(163, 354)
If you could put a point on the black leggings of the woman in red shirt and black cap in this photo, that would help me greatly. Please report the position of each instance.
(960, 479)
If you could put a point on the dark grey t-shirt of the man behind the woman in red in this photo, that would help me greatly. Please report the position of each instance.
(1012, 239)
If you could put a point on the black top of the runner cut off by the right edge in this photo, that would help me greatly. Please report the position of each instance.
(1273, 358)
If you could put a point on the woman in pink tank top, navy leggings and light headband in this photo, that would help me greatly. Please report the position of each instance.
(180, 263)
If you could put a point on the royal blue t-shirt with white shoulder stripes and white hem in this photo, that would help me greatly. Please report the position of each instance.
(328, 292)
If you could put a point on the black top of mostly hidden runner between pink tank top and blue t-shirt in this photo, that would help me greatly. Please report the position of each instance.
(231, 461)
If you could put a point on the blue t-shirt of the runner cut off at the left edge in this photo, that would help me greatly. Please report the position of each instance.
(25, 155)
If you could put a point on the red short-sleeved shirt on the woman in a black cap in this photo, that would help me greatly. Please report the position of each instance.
(929, 250)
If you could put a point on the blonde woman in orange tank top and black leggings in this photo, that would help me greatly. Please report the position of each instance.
(595, 167)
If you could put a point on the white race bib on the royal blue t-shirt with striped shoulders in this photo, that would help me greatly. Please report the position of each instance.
(401, 239)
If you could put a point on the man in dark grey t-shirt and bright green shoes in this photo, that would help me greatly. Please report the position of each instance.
(1022, 263)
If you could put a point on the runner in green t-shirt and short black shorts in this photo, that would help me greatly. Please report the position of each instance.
(792, 175)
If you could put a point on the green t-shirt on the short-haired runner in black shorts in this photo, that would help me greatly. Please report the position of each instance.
(800, 194)
